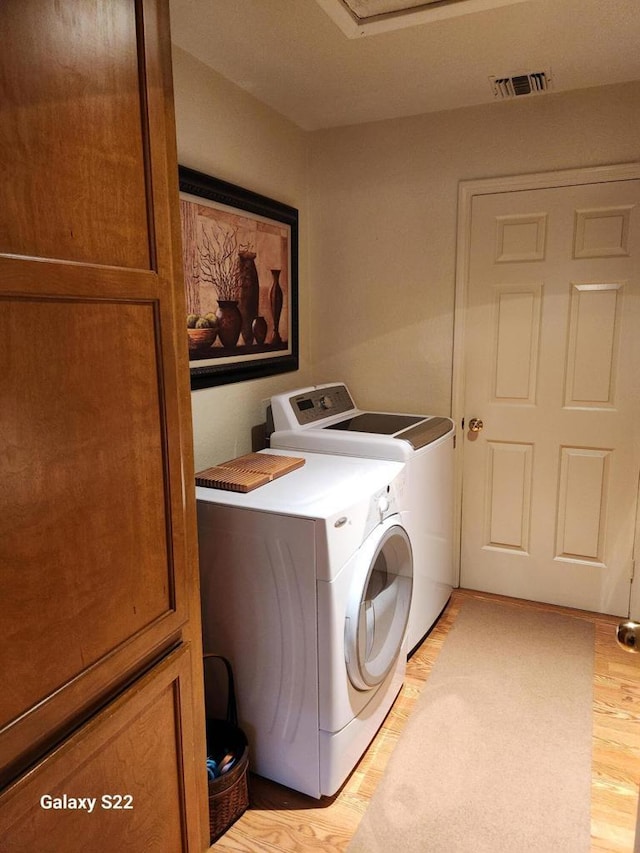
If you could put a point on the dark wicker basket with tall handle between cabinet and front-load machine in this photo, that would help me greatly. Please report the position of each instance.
(229, 793)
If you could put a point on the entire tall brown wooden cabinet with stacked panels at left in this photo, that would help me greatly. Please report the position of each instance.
(98, 572)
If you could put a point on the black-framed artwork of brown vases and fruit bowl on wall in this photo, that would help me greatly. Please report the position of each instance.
(240, 256)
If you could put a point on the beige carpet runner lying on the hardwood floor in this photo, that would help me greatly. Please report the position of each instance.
(496, 755)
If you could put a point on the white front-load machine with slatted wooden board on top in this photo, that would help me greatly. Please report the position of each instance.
(306, 588)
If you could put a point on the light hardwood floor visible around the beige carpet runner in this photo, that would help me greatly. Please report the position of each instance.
(282, 820)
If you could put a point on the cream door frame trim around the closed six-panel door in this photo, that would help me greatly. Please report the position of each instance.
(467, 191)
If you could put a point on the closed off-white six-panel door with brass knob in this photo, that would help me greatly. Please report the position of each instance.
(551, 368)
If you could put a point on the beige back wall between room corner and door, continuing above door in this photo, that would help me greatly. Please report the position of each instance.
(383, 228)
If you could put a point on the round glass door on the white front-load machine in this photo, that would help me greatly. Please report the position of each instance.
(378, 605)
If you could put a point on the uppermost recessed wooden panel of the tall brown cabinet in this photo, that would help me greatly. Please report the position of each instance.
(72, 142)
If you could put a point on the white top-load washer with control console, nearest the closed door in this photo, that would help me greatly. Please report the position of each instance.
(324, 419)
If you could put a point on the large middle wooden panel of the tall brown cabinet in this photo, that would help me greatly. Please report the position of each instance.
(85, 515)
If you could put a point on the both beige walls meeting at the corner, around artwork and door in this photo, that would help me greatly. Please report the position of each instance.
(377, 209)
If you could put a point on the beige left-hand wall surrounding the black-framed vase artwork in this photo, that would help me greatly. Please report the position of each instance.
(228, 134)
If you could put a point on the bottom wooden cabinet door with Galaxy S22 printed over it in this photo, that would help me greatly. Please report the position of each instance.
(114, 785)
